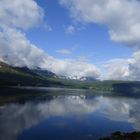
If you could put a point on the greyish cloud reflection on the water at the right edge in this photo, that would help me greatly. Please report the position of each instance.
(123, 109)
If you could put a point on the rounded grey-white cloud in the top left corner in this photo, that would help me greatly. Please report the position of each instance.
(20, 13)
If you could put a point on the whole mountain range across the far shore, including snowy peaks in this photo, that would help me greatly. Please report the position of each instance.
(23, 76)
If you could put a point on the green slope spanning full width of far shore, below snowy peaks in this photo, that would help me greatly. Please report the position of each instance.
(12, 76)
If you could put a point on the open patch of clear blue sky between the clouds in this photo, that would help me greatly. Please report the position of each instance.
(91, 42)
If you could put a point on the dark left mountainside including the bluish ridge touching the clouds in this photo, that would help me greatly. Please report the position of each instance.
(10, 75)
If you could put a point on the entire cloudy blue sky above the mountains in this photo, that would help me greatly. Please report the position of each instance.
(73, 38)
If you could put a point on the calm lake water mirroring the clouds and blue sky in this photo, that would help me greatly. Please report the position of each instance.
(63, 115)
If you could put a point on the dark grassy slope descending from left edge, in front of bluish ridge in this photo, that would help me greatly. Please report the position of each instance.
(12, 76)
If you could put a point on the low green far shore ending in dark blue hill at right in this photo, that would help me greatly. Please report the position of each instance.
(105, 86)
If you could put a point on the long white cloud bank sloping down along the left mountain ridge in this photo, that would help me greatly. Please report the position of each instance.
(17, 50)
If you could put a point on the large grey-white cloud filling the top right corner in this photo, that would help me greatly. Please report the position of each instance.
(121, 17)
